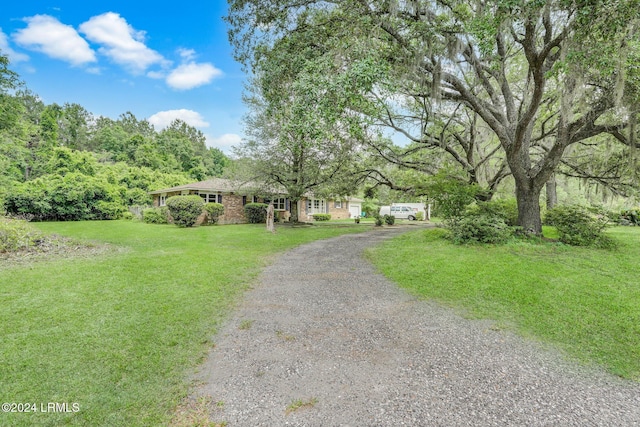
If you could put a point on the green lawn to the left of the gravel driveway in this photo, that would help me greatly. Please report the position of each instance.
(118, 333)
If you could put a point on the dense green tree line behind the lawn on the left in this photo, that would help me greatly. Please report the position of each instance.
(61, 162)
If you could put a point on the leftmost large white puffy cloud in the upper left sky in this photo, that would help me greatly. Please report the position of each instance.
(48, 35)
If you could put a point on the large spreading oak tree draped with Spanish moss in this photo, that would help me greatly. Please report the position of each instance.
(542, 75)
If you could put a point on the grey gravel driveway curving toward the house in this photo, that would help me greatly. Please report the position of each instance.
(324, 340)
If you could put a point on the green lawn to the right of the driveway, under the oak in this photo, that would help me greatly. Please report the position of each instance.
(583, 301)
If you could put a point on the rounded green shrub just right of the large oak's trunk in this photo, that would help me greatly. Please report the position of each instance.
(579, 225)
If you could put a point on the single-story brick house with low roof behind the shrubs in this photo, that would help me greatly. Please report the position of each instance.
(233, 196)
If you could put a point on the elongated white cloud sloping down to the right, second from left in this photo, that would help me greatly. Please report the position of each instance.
(121, 42)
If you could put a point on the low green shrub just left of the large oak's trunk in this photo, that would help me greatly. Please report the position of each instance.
(479, 229)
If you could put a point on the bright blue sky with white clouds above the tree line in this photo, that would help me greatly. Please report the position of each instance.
(159, 60)
